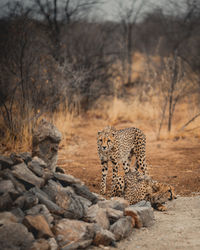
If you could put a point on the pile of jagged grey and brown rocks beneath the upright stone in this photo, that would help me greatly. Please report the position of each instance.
(44, 209)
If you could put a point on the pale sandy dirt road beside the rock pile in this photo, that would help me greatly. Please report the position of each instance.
(177, 228)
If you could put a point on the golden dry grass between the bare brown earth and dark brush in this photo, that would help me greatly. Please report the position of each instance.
(144, 112)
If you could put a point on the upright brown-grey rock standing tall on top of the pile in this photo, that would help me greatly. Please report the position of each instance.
(46, 139)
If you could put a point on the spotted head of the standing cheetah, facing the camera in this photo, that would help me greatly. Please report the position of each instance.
(105, 139)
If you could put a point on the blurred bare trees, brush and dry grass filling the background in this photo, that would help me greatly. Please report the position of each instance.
(63, 59)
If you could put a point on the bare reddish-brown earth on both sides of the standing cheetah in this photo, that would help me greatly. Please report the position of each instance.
(175, 161)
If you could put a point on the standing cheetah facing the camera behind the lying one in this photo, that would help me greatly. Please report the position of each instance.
(119, 146)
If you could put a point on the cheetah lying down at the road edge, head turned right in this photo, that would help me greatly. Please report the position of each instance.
(135, 187)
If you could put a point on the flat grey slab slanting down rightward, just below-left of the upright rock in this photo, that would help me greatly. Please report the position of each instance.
(22, 172)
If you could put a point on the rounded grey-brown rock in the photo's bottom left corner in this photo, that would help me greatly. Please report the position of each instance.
(15, 236)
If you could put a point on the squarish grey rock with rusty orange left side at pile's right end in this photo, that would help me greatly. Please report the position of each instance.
(143, 216)
